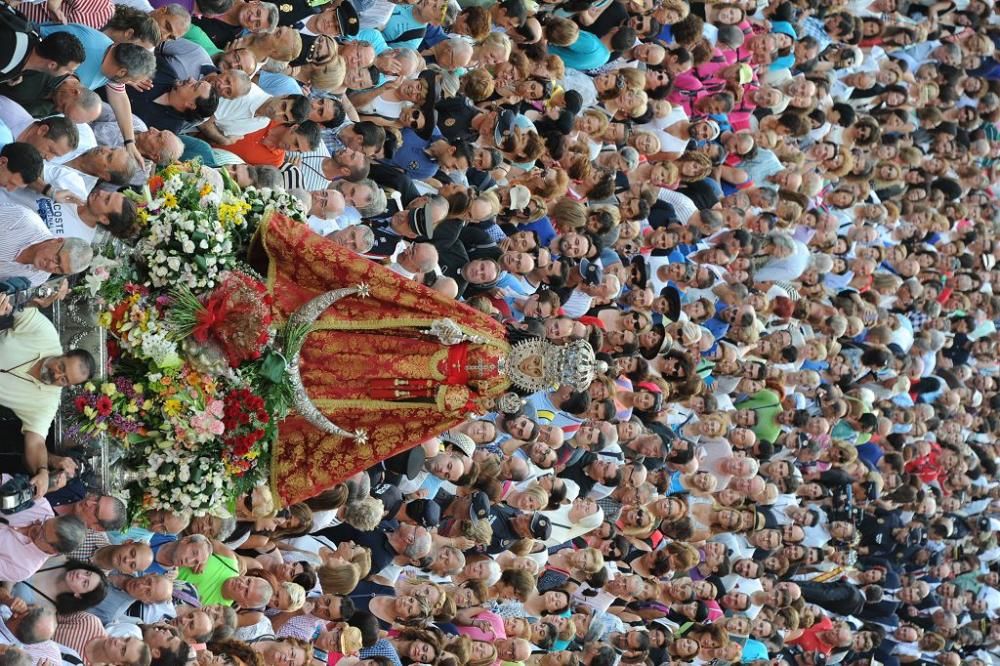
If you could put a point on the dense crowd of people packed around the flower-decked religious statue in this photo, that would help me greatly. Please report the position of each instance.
(775, 222)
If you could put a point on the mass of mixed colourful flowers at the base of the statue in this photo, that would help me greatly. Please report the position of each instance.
(198, 382)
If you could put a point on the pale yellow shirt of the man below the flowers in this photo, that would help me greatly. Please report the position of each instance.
(33, 337)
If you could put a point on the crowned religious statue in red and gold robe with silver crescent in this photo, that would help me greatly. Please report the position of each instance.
(387, 362)
